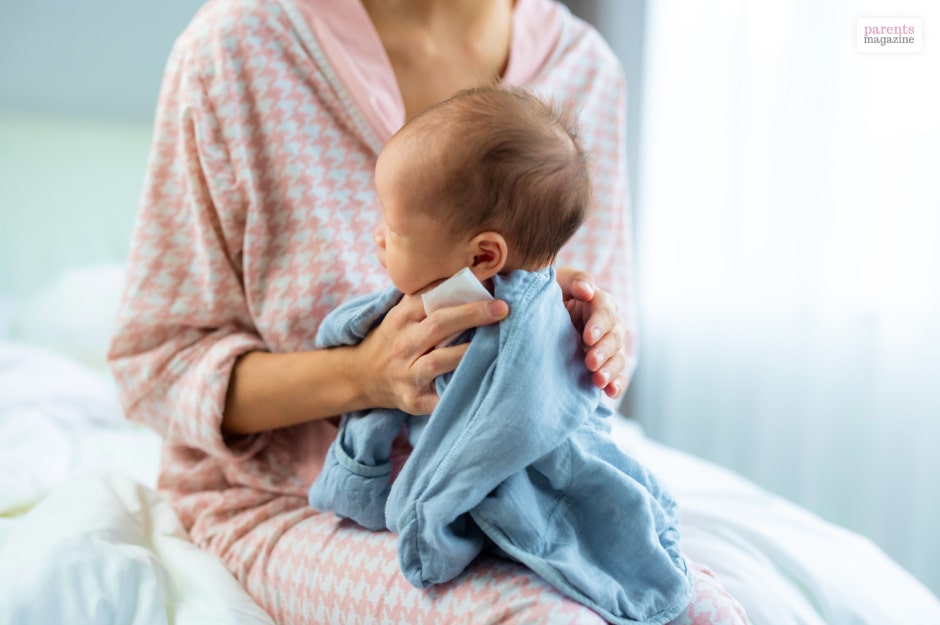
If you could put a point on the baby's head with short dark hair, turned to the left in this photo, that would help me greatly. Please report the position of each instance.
(492, 179)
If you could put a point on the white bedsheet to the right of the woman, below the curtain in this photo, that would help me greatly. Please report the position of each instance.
(786, 565)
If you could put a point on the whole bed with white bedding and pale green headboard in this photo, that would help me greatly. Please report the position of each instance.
(86, 538)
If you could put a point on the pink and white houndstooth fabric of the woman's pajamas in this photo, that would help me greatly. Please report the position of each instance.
(255, 220)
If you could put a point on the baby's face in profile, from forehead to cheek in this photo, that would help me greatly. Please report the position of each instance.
(415, 249)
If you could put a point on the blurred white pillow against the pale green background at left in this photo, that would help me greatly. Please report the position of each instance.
(74, 315)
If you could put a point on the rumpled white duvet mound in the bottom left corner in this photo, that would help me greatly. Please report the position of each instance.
(105, 549)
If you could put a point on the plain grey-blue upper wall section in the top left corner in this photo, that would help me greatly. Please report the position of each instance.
(94, 58)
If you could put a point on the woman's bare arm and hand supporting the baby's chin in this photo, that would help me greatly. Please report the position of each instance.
(394, 367)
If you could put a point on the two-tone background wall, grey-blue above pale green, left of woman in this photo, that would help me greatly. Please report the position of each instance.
(78, 87)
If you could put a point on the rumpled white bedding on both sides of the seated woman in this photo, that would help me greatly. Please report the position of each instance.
(85, 538)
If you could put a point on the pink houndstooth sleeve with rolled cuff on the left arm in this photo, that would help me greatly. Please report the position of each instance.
(184, 318)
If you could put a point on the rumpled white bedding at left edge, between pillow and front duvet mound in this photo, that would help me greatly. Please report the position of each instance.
(59, 418)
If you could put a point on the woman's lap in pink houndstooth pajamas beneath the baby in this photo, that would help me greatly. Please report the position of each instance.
(307, 568)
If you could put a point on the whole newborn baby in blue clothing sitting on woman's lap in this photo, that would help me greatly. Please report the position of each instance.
(479, 194)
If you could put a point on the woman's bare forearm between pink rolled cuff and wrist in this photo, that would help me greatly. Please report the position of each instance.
(269, 391)
